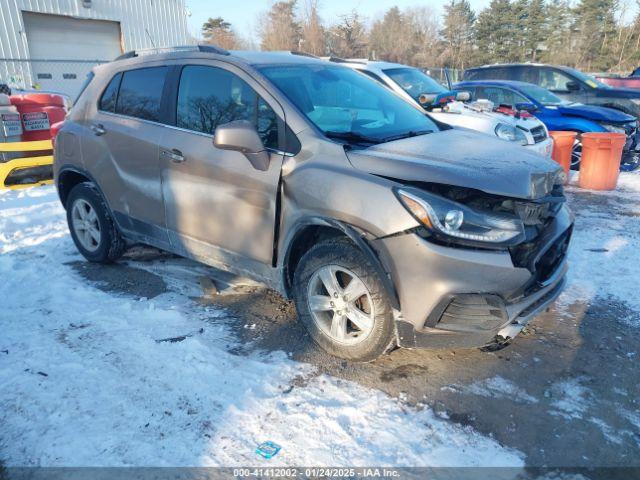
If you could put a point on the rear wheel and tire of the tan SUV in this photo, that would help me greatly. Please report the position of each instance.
(108, 245)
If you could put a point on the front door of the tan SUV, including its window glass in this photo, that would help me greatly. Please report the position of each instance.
(218, 207)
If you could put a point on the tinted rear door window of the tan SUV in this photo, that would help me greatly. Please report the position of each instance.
(141, 92)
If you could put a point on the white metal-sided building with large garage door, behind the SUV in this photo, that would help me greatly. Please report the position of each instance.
(52, 44)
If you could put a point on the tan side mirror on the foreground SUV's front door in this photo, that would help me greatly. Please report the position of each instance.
(242, 136)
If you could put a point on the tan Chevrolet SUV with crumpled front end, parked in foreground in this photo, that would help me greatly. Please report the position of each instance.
(385, 227)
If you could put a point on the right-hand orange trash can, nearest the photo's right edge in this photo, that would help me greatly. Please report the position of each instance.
(600, 163)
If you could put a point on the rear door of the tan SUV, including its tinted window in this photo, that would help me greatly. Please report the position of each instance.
(122, 149)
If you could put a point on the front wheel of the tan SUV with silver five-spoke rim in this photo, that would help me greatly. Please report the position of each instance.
(348, 340)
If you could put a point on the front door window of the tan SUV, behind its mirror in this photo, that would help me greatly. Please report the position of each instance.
(210, 96)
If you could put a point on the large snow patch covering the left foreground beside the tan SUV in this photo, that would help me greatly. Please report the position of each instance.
(84, 381)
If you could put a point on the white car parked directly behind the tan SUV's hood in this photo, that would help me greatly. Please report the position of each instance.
(421, 90)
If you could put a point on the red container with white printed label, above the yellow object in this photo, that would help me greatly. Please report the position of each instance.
(38, 112)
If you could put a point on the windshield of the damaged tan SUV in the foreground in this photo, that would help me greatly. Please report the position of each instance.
(345, 104)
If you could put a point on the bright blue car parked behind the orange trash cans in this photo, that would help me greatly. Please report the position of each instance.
(558, 114)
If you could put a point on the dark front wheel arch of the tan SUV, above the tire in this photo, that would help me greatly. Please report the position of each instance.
(312, 230)
